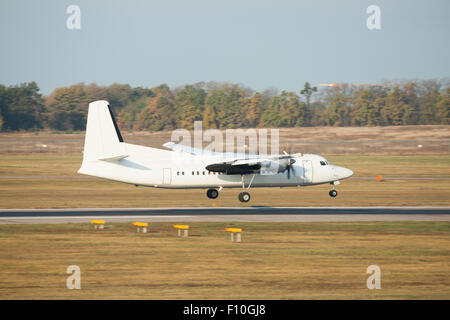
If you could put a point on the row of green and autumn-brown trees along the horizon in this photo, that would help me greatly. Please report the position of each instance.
(224, 105)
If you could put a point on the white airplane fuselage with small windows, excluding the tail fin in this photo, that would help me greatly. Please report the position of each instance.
(171, 169)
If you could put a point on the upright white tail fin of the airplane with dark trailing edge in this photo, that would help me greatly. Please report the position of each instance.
(103, 140)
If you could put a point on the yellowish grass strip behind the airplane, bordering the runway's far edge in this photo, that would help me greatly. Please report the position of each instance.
(51, 181)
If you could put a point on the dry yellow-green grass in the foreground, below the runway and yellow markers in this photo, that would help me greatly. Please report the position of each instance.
(274, 261)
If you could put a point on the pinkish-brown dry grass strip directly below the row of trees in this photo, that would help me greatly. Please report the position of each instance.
(435, 139)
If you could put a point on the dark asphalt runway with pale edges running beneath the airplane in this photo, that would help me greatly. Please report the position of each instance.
(226, 214)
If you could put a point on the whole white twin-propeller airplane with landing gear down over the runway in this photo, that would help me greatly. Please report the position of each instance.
(107, 156)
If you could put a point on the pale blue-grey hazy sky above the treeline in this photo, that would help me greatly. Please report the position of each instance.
(259, 43)
